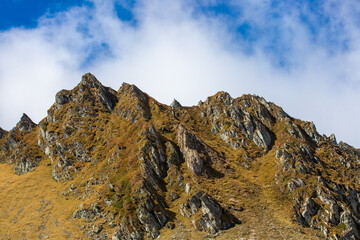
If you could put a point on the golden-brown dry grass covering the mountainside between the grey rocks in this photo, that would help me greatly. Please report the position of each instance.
(33, 208)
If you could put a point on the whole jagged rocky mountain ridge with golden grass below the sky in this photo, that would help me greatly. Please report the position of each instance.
(106, 164)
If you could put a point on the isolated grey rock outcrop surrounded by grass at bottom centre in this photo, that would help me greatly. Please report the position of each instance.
(213, 218)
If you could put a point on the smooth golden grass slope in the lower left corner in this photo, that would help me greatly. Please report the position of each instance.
(31, 207)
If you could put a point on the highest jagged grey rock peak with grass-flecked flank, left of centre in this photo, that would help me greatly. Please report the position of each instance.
(75, 114)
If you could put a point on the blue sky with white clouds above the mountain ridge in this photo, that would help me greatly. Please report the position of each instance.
(302, 55)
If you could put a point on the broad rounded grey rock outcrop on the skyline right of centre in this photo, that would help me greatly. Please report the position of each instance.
(240, 126)
